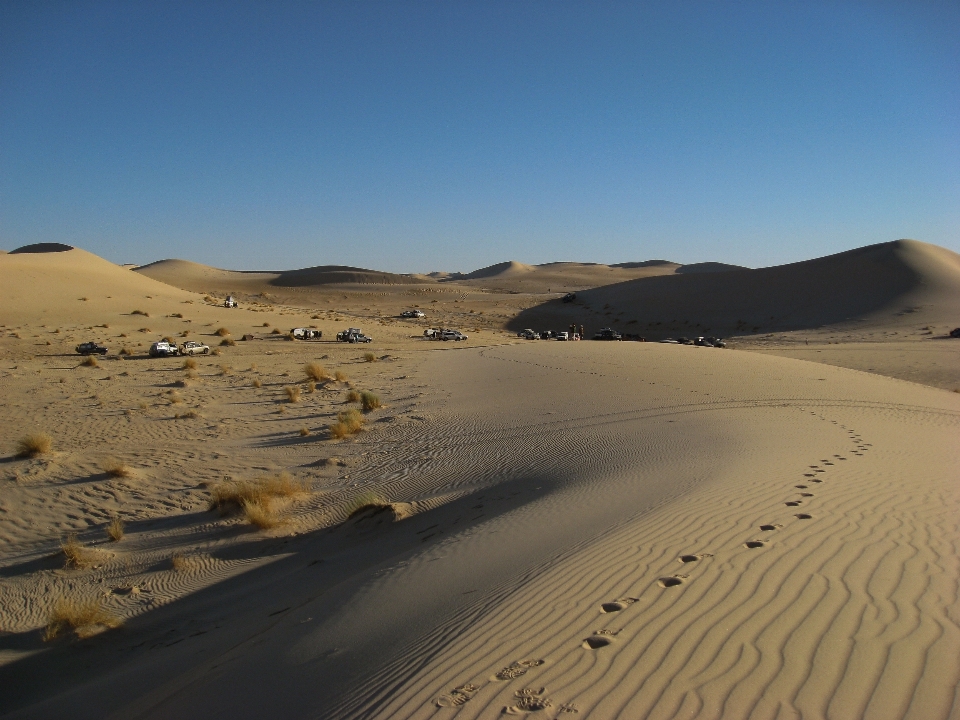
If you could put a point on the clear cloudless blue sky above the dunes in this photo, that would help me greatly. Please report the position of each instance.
(446, 135)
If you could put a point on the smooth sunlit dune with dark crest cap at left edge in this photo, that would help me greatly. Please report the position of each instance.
(70, 285)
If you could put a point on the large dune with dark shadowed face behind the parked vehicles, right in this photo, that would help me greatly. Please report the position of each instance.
(898, 283)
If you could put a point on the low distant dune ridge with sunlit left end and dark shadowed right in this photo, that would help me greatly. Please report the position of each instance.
(203, 278)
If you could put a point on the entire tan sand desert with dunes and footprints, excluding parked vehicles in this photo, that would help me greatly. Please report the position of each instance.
(421, 529)
